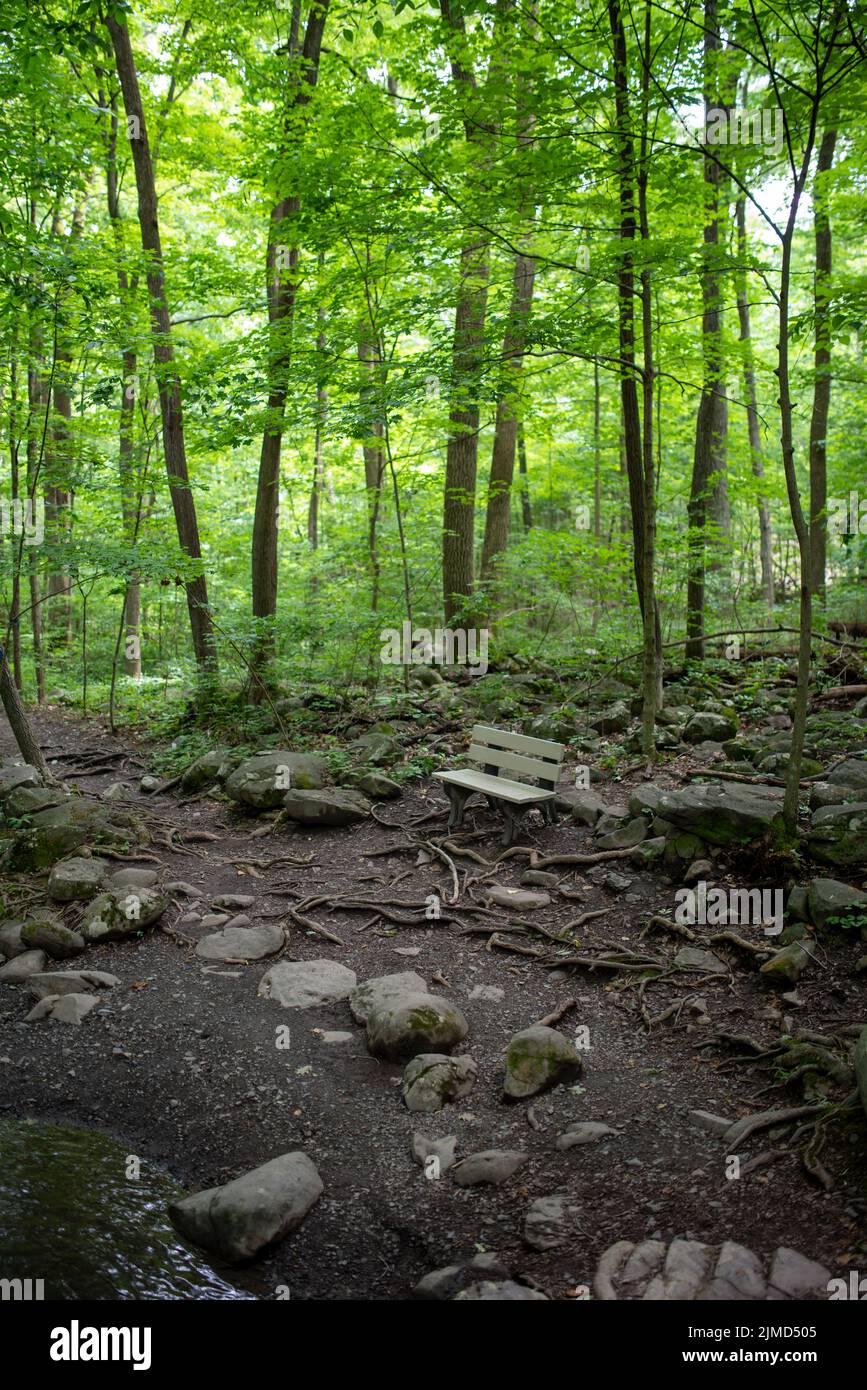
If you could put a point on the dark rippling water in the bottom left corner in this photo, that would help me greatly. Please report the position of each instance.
(70, 1217)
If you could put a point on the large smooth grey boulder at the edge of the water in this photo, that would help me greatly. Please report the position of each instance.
(252, 1213)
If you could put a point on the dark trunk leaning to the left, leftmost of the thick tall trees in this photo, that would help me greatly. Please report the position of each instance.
(169, 383)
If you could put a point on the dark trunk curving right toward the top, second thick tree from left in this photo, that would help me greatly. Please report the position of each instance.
(281, 272)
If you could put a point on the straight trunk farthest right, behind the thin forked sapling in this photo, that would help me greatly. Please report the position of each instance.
(822, 389)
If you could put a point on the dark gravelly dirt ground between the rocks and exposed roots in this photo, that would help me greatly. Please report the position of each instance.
(181, 1061)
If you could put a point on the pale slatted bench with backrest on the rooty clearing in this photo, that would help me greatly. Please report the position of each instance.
(499, 754)
